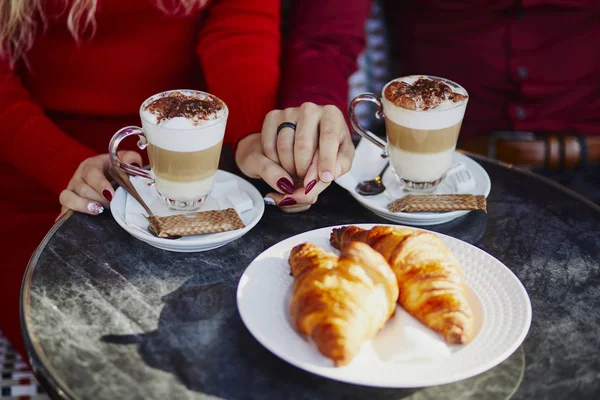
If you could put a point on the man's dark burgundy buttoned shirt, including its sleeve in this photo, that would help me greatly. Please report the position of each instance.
(527, 65)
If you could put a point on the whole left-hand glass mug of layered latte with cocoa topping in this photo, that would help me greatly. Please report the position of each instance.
(183, 132)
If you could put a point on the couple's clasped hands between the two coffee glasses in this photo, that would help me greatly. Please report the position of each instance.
(298, 164)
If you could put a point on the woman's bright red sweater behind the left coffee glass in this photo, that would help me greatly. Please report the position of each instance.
(65, 105)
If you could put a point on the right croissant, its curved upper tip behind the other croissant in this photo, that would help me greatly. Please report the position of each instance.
(429, 276)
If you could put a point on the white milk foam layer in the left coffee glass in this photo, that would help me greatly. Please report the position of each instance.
(180, 133)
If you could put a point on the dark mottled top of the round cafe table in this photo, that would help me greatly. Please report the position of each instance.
(105, 316)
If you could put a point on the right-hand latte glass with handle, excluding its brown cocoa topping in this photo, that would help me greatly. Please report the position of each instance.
(419, 144)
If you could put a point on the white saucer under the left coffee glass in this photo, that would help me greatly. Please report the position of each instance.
(197, 243)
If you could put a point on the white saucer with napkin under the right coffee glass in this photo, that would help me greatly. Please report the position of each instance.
(368, 164)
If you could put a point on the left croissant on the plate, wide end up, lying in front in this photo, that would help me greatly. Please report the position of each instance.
(342, 302)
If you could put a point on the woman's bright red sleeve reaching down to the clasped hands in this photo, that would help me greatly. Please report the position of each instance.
(239, 52)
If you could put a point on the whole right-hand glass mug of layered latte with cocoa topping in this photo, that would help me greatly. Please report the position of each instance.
(423, 115)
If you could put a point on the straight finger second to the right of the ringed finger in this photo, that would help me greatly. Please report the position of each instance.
(330, 130)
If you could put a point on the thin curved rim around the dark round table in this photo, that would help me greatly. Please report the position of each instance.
(35, 354)
